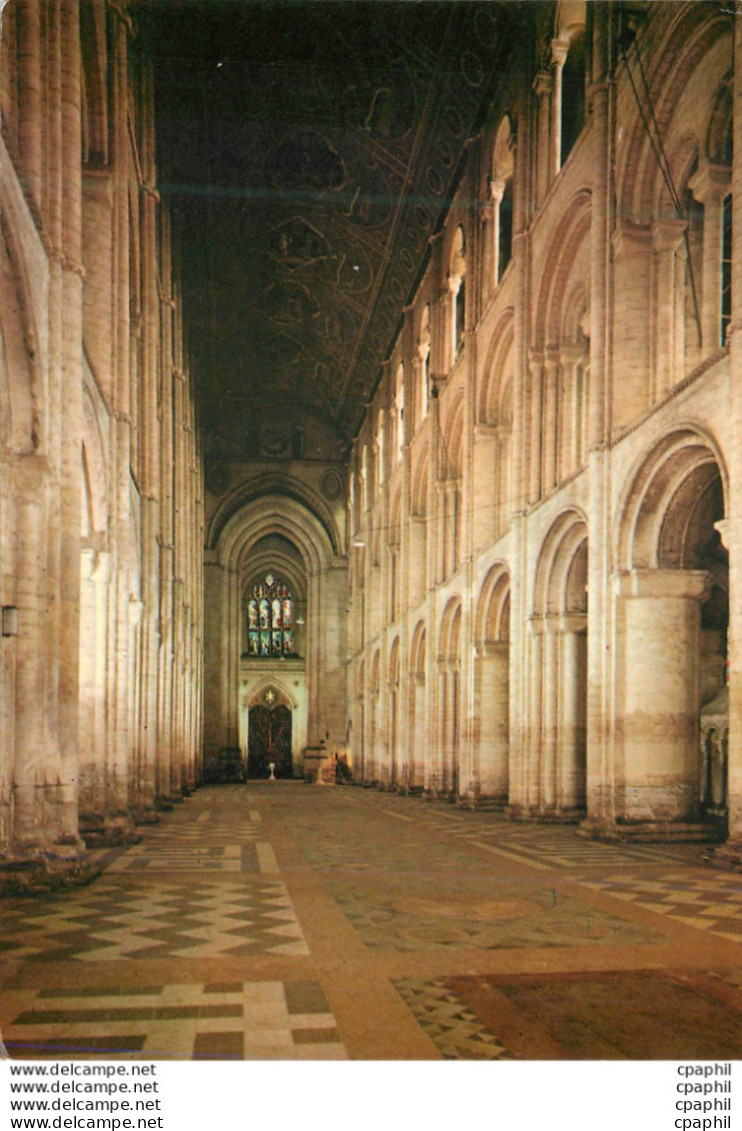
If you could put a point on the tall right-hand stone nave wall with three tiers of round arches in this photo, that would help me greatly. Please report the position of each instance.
(577, 445)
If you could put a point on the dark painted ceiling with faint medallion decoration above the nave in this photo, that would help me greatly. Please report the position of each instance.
(308, 151)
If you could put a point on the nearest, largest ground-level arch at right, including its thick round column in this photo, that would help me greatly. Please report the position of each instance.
(672, 620)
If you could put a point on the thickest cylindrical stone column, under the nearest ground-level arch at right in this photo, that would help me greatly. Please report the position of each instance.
(660, 780)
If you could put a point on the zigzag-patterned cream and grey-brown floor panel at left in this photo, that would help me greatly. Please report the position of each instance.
(158, 920)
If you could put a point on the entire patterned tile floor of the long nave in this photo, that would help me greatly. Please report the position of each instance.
(290, 922)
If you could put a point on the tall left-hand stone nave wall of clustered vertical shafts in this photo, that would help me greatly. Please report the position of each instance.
(100, 697)
